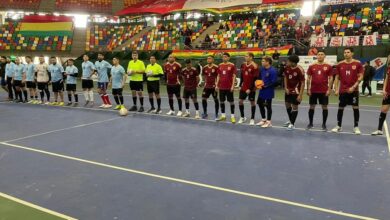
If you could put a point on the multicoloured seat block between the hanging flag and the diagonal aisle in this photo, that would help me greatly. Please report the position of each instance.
(110, 36)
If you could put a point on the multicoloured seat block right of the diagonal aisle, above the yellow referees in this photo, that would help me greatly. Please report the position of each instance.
(168, 40)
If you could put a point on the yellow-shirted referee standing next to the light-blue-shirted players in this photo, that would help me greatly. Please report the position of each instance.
(136, 71)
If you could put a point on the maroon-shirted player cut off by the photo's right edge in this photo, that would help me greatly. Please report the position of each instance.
(385, 104)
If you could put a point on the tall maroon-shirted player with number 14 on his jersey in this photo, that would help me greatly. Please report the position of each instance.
(348, 76)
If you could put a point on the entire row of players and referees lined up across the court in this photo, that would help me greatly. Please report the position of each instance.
(219, 82)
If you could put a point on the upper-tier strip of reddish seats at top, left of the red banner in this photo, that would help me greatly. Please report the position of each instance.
(100, 6)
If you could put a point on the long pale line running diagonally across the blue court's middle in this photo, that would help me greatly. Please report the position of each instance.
(188, 182)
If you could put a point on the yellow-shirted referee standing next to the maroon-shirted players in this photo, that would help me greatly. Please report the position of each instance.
(154, 71)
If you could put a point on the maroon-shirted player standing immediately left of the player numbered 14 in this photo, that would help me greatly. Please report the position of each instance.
(319, 83)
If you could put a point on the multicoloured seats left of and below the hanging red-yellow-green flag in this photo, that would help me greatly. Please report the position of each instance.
(10, 39)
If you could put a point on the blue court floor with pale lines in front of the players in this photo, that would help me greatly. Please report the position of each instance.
(85, 163)
